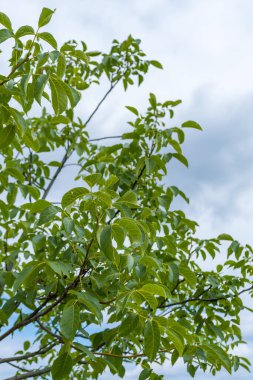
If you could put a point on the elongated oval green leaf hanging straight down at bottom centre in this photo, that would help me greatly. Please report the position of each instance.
(151, 339)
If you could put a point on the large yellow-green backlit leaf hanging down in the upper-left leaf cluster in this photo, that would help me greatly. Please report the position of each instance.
(59, 97)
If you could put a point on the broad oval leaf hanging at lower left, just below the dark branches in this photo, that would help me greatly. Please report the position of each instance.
(70, 321)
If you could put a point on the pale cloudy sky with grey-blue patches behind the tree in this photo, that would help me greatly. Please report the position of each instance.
(206, 50)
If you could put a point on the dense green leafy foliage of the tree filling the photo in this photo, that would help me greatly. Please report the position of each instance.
(110, 274)
